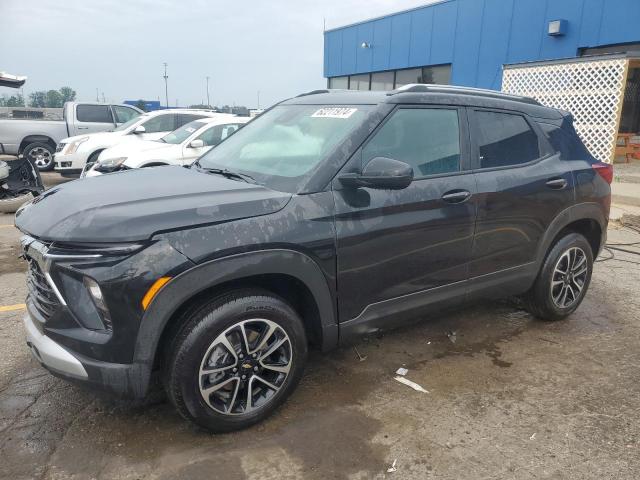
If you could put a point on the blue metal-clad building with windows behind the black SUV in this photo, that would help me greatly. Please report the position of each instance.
(466, 42)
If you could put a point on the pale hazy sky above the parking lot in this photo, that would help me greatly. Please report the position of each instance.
(119, 46)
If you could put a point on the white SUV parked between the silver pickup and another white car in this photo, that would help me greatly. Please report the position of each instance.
(74, 153)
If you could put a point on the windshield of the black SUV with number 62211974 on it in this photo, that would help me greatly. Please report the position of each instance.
(286, 143)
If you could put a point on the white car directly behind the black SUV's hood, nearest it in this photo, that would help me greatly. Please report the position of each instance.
(180, 147)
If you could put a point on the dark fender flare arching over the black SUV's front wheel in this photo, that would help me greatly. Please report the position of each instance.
(235, 267)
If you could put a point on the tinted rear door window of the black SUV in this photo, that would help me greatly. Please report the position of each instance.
(505, 139)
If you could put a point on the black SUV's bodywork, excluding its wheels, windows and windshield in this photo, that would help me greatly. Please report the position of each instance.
(352, 259)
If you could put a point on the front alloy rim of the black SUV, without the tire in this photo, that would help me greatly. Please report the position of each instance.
(245, 366)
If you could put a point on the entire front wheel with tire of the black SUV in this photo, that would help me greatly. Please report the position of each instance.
(204, 343)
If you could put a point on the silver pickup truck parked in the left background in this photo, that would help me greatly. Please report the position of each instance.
(37, 138)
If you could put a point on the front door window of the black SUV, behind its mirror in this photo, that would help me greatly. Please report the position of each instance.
(428, 139)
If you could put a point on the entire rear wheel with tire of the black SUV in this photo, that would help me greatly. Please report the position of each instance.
(569, 265)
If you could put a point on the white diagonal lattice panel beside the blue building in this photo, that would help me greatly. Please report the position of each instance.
(590, 90)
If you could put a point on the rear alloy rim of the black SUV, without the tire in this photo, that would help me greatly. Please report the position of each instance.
(569, 277)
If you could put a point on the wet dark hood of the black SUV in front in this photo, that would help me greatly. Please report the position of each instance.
(134, 205)
